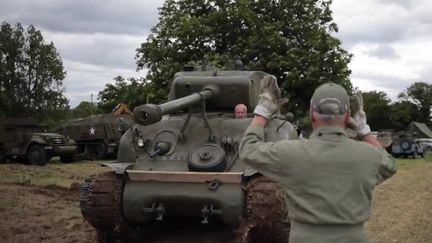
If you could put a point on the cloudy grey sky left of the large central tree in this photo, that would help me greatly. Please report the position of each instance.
(96, 39)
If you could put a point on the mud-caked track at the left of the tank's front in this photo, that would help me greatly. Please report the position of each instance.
(100, 203)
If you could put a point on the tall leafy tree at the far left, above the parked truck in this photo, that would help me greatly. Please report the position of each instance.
(31, 73)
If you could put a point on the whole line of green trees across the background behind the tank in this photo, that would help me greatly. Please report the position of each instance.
(290, 39)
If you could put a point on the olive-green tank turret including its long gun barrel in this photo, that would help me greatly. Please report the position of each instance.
(220, 90)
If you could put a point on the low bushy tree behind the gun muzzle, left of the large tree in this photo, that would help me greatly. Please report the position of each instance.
(132, 92)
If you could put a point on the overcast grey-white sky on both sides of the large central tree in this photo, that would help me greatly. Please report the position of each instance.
(391, 39)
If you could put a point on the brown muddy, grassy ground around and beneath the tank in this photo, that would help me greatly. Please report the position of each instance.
(41, 204)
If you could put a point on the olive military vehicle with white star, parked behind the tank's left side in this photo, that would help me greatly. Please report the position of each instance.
(97, 136)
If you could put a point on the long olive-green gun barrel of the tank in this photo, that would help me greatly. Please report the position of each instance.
(150, 113)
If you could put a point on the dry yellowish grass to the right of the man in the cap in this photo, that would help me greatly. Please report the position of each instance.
(402, 205)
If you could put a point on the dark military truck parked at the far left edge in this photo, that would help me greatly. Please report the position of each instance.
(25, 140)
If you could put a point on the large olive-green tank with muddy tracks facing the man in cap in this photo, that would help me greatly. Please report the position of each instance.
(181, 160)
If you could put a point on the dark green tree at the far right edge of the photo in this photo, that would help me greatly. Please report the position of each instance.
(420, 94)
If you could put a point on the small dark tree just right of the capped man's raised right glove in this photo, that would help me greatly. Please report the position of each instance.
(378, 109)
